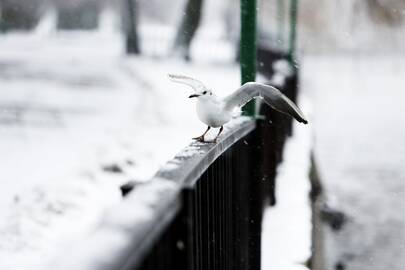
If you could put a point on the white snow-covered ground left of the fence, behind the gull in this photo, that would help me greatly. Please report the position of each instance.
(73, 107)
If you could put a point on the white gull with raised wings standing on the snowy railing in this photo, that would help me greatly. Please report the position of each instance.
(215, 111)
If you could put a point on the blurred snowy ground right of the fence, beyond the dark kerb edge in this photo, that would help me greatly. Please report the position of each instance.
(359, 132)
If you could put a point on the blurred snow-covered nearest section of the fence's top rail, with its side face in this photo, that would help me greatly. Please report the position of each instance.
(127, 230)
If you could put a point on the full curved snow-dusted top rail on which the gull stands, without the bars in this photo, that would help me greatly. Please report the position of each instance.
(129, 230)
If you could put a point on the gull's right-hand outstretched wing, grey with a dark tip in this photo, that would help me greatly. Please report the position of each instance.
(271, 95)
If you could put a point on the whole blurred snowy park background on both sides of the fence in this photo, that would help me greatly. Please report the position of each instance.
(86, 106)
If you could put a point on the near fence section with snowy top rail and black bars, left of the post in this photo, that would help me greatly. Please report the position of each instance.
(183, 217)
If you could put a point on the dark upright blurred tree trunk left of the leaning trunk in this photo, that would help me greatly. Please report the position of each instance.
(130, 22)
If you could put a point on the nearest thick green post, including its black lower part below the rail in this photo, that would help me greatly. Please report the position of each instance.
(248, 199)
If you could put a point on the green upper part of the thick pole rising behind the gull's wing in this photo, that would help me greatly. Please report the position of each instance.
(248, 48)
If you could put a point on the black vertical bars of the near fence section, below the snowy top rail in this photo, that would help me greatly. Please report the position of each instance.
(219, 224)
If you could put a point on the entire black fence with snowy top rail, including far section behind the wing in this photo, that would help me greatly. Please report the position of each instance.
(203, 209)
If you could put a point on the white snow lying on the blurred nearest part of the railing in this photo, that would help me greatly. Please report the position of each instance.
(115, 234)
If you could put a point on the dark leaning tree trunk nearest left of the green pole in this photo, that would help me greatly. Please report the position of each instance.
(188, 27)
